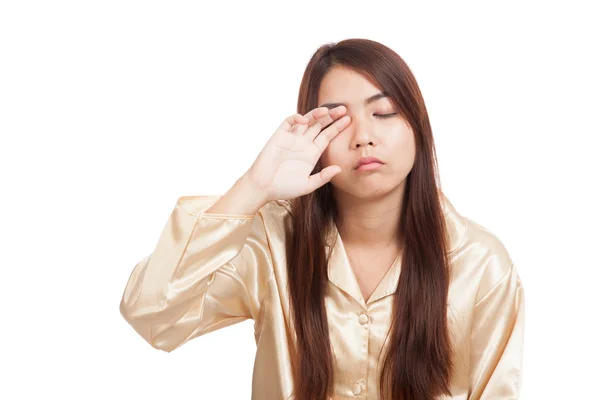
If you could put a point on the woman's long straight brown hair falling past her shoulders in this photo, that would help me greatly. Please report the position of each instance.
(418, 362)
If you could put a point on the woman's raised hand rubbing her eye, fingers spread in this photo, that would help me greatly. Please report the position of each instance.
(283, 167)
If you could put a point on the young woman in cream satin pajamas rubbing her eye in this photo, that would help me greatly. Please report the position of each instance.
(361, 277)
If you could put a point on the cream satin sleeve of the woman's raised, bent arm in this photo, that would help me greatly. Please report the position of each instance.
(207, 271)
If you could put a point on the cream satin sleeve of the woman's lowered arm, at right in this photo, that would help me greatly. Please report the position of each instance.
(497, 338)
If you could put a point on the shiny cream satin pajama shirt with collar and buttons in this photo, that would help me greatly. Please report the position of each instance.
(209, 271)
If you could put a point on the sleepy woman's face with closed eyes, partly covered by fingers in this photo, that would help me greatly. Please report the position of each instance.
(390, 139)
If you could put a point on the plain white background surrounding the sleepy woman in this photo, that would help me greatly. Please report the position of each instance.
(111, 110)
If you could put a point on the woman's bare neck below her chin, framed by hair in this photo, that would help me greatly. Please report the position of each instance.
(372, 223)
